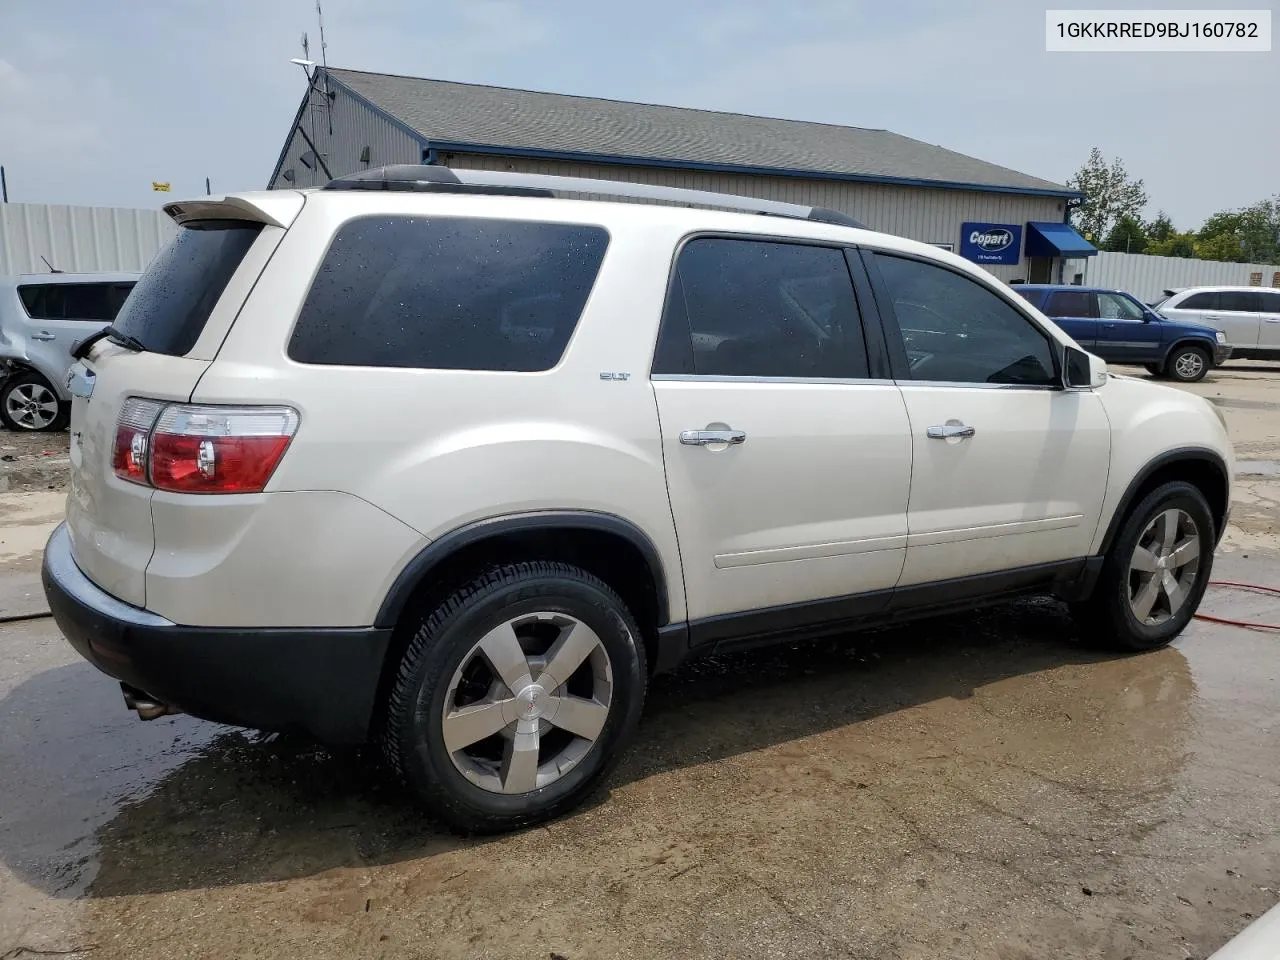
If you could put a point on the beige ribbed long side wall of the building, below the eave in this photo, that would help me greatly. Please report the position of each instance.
(918, 213)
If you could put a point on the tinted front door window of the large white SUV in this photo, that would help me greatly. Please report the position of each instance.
(958, 331)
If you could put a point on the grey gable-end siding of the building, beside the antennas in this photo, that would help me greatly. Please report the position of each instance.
(355, 127)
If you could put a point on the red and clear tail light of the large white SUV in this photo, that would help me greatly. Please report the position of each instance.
(202, 449)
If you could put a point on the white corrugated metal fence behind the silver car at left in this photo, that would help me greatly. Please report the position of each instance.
(79, 239)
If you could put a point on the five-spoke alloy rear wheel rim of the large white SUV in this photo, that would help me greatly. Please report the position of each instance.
(528, 703)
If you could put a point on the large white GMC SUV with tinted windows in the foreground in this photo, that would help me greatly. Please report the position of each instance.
(440, 459)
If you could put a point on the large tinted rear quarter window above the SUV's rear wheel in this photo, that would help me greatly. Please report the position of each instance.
(449, 294)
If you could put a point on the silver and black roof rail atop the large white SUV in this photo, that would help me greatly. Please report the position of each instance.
(446, 180)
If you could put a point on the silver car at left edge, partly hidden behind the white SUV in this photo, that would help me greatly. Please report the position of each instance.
(43, 318)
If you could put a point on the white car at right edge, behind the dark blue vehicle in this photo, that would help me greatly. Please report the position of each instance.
(1250, 317)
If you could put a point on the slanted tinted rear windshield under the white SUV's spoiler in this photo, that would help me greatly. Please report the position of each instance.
(172, 303)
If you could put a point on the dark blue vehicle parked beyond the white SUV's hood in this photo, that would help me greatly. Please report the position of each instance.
(1121, 330)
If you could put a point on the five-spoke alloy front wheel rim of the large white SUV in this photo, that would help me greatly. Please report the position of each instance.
(1164, 568)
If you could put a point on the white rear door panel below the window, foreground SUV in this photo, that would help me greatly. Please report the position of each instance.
(812, 505)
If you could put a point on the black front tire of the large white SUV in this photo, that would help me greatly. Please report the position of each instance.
(1110, 618)
